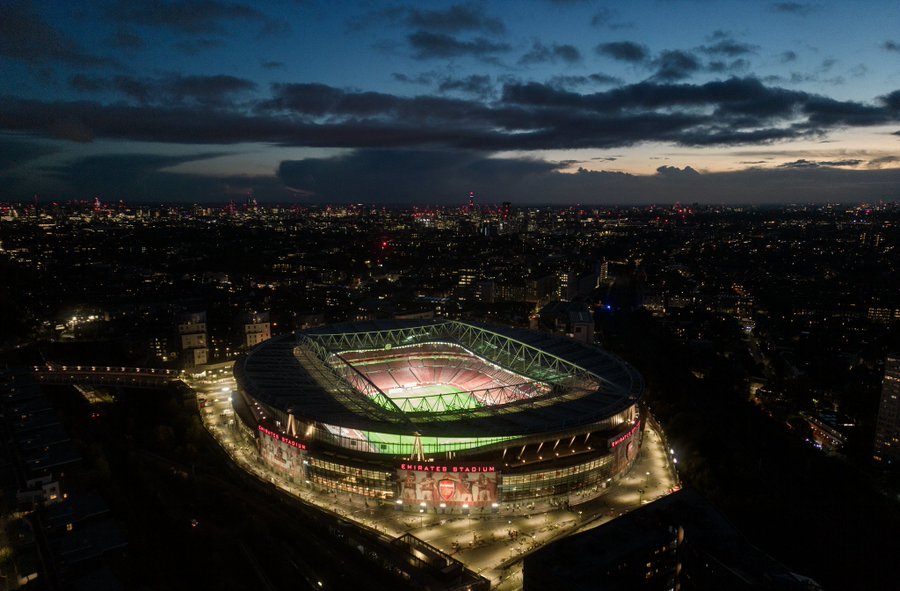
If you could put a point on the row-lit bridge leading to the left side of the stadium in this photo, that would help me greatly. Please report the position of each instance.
(106, 375)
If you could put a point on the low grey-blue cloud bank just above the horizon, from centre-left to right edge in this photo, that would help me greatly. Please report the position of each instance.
(435, 176)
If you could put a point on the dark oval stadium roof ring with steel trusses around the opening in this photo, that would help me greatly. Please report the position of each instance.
(295, 379)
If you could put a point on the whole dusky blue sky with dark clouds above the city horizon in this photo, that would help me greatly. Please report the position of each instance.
(560, 101)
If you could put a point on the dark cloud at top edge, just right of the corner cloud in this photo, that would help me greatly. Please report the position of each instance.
(203, 16)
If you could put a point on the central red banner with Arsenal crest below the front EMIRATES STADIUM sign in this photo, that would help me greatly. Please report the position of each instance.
(453, 485)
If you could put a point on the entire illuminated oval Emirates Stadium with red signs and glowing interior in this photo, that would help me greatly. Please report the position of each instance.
(441, 413)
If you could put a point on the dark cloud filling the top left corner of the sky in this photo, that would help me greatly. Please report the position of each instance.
(25, 36)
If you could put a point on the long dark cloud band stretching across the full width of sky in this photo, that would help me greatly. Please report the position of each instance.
(526, 116)
